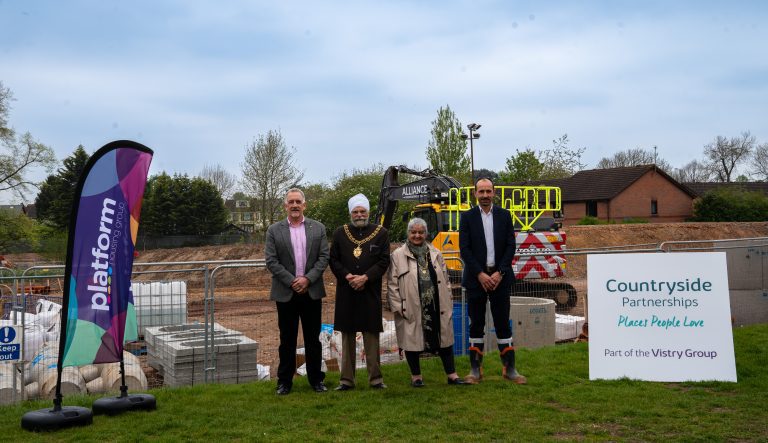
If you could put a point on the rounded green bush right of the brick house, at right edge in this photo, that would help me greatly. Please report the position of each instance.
(734, 205)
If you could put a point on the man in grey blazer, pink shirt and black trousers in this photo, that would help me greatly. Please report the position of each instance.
(296, 253)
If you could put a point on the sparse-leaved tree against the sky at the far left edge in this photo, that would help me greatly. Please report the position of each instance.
(19, 154)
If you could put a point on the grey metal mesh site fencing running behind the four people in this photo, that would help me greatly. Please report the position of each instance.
(212, 321)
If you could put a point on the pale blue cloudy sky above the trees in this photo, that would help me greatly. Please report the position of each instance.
(354, 83)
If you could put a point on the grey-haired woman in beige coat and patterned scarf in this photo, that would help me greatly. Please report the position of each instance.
(419, 296)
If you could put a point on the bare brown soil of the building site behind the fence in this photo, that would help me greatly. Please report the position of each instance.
(242, 294)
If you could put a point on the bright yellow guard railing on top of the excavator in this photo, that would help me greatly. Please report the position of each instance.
(526, 203)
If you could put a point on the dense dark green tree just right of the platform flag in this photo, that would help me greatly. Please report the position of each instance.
(179, 205)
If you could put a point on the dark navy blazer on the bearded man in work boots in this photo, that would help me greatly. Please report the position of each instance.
(473, 250)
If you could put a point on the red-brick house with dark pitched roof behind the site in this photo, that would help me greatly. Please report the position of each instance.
(616, 194)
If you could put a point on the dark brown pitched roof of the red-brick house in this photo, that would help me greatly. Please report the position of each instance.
(603, 184)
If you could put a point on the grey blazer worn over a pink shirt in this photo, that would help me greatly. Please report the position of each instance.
(278, 253)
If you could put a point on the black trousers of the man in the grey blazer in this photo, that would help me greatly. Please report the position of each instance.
(300, 308)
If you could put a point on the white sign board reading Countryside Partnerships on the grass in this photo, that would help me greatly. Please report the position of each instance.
(660, 317)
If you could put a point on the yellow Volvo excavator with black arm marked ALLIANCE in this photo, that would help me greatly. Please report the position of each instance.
(440, 199)
